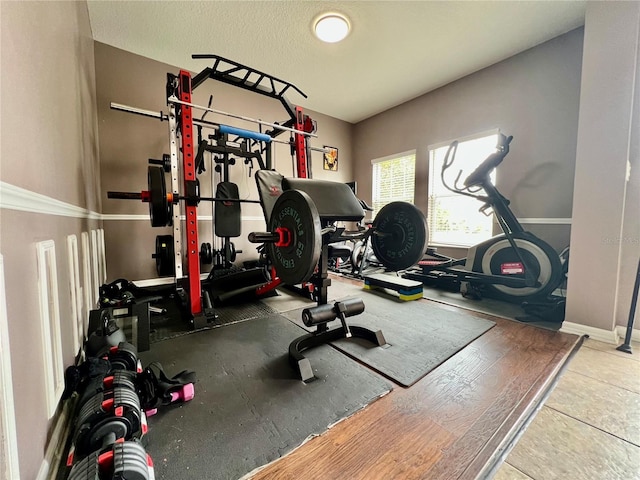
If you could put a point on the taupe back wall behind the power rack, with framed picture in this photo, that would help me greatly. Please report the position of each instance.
(127, 141)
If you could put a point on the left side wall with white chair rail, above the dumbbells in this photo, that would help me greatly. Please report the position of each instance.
(49, 141)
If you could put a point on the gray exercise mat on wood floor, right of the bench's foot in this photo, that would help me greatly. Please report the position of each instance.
(420, 335)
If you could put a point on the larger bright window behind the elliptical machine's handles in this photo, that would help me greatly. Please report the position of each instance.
(454, 219)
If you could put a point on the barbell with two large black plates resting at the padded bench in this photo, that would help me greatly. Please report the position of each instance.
(398, 234)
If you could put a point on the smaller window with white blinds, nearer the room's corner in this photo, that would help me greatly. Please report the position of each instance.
(393, 179)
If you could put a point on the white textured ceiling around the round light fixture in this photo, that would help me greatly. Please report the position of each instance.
(396, 51)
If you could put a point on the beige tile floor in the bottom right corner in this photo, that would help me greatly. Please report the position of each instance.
(589, 427)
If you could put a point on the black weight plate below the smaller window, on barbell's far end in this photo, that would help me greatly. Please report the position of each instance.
(400, 235)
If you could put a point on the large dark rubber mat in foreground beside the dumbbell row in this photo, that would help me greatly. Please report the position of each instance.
(250, 408)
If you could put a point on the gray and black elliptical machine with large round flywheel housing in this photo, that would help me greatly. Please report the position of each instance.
(515, 266)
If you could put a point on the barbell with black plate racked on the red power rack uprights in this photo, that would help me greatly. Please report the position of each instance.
(161, 201)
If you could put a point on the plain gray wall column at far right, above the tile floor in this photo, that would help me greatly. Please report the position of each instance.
(605, 237)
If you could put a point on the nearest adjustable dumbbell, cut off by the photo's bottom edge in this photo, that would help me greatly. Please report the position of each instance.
(125, 460)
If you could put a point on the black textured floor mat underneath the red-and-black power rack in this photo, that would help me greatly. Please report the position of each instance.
(171, 324)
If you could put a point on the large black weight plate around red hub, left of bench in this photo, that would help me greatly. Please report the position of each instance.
(295, 211)
